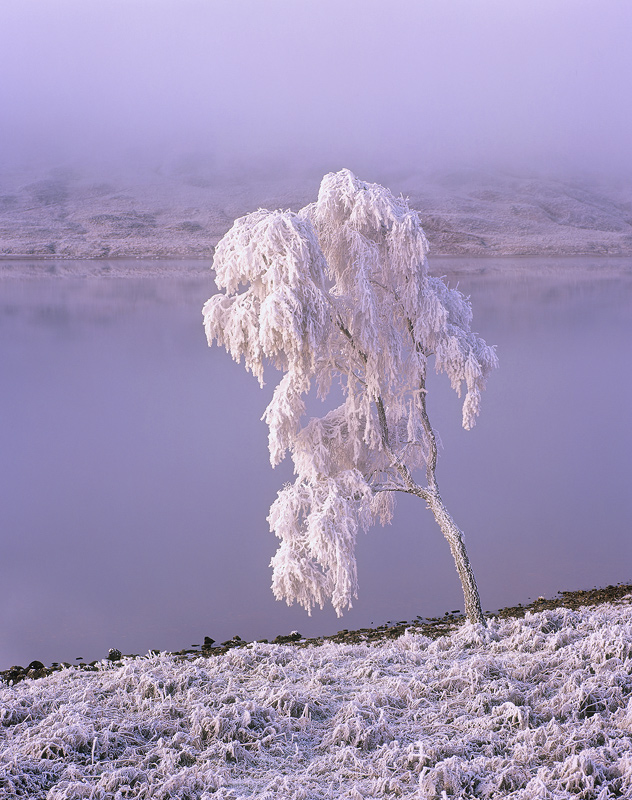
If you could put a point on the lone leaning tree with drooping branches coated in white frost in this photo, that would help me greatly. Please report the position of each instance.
(341, 291)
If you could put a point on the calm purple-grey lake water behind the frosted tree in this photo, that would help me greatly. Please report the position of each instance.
(135, 476)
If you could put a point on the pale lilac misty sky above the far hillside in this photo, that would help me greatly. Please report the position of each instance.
(529, 84)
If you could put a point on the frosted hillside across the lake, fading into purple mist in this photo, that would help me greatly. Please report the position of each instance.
(183, 211)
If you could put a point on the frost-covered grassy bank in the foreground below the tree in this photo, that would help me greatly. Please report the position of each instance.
(534, 708)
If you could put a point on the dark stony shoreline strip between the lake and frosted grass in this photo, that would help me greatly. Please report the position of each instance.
(430, 627)
